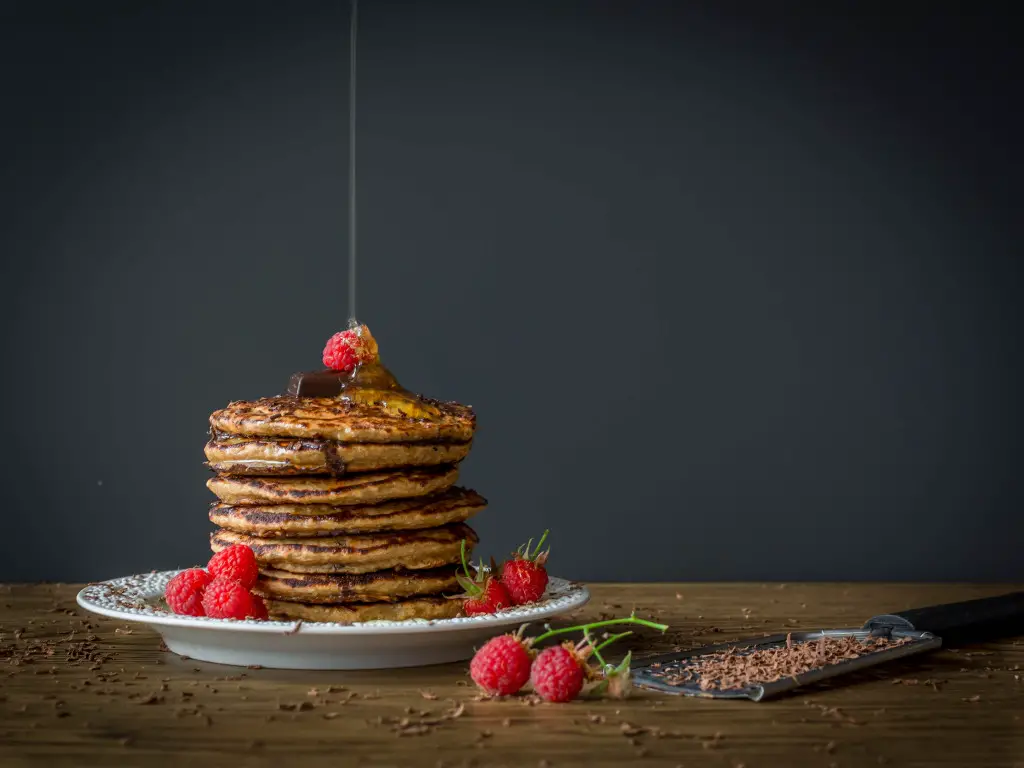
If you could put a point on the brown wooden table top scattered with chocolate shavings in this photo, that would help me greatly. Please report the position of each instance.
(92, 692)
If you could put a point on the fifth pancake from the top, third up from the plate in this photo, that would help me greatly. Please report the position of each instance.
(431, 548)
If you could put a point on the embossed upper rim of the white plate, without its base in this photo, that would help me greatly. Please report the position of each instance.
(568, 596)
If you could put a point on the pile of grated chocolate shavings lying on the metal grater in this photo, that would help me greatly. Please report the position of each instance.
(736, 669)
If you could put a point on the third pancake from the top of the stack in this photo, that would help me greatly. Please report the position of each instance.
(369, 488)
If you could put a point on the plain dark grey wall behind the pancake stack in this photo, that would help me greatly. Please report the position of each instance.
(735, 289)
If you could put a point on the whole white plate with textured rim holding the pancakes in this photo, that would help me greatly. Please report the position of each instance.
(295, 646)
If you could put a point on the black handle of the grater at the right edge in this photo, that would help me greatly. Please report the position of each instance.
(967, 622)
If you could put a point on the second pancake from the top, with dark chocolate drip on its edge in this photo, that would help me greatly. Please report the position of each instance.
(252, 456)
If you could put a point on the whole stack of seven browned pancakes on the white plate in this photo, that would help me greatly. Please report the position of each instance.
(351, 507)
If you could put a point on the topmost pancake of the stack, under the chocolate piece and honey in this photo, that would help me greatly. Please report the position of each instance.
(334, 419)
